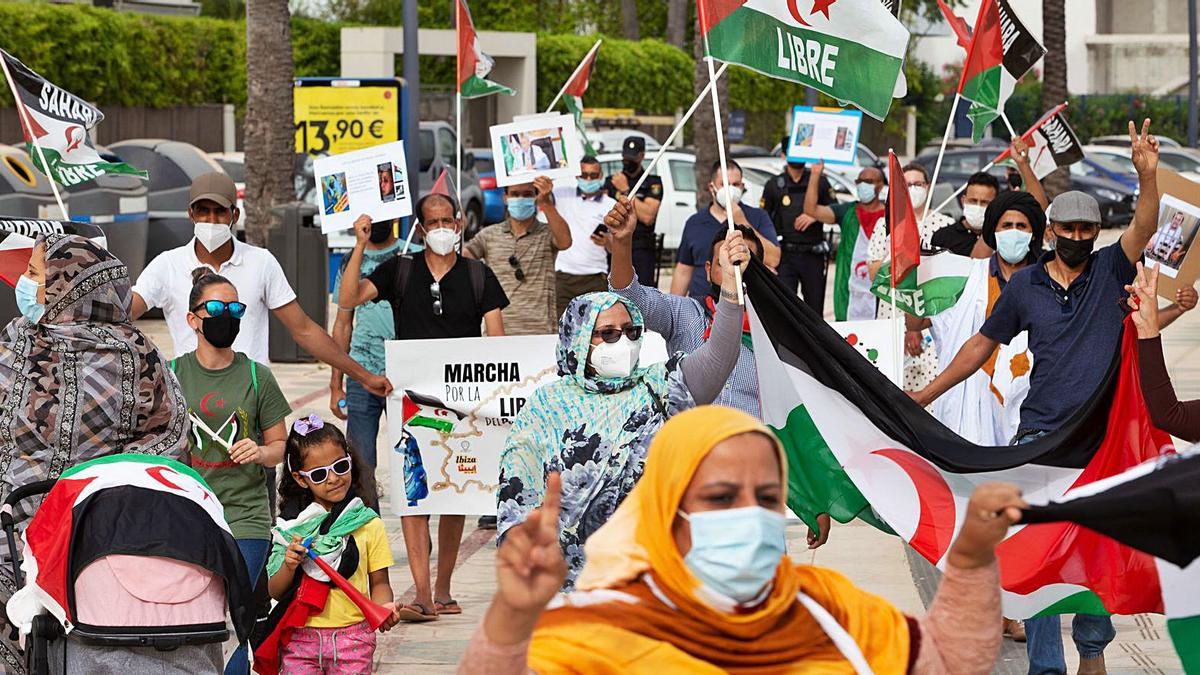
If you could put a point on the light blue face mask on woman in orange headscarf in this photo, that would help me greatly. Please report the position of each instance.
(736, 552)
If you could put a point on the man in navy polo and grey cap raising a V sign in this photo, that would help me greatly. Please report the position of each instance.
(1072, 306)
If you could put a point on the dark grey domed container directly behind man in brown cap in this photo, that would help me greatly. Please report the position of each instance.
(172, 166)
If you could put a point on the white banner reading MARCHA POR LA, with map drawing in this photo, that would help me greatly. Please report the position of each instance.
(452, 410)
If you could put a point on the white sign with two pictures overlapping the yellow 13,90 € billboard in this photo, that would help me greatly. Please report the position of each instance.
(373, 182)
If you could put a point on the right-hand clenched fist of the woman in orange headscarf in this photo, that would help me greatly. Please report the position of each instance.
(993, 510)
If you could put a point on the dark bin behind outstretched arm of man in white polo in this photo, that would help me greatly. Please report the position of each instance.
(298, 243)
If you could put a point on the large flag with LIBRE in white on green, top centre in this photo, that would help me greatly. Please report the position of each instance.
(851, 50)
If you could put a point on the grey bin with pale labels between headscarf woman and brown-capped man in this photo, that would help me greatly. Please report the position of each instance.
(118, 206)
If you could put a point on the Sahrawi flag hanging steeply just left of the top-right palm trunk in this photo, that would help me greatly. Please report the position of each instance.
(1003, 51)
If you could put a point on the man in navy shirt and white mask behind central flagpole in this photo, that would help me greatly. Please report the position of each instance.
(695, 246)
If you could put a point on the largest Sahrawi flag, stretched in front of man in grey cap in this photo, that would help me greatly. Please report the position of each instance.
(860, 447)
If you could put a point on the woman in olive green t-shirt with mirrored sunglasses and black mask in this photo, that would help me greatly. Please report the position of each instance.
(238, 421)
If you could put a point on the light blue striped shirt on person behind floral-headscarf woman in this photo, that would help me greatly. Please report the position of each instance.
(683, 322)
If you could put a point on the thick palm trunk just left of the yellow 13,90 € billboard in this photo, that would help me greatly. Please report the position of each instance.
(271, 122)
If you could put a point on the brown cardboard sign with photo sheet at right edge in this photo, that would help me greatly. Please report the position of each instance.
(1172, 248)
